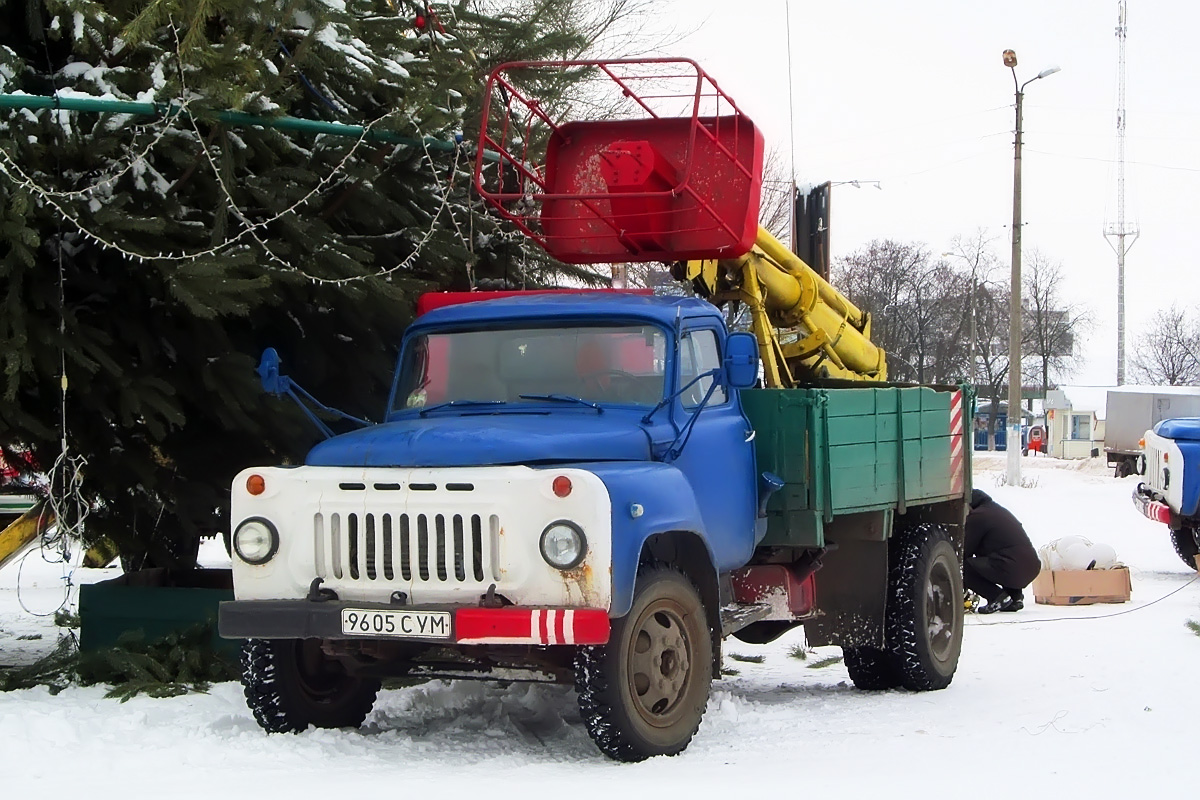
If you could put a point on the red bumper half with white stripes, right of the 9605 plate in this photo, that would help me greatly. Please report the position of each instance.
(513, 625)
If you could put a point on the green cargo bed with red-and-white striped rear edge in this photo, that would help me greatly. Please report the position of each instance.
(851, 450)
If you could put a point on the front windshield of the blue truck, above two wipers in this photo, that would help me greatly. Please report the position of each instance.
(614, 365)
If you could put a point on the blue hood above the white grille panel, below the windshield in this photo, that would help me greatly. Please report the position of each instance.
(484, 440)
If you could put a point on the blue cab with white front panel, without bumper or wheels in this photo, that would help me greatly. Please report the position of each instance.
(531, 447)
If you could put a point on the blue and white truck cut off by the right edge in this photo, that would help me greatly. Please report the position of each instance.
(1171, 495)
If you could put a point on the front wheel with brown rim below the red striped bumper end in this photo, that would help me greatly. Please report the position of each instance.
(645, 693)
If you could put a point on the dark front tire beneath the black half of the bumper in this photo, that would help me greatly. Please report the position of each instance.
(290, 685)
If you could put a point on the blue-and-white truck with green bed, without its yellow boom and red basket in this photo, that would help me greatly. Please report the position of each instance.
(572, 486)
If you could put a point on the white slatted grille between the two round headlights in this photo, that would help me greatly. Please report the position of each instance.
(410, 548)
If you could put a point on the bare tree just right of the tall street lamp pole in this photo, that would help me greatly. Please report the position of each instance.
(1053, 327)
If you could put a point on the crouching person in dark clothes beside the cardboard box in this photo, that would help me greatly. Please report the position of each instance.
(1000, 561)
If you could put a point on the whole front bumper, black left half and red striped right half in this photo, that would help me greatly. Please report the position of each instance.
(305, 619)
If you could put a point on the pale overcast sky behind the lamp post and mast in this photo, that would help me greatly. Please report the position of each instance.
(915, 95)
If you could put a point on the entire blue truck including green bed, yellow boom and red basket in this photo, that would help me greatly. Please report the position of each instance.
(589, 489)
